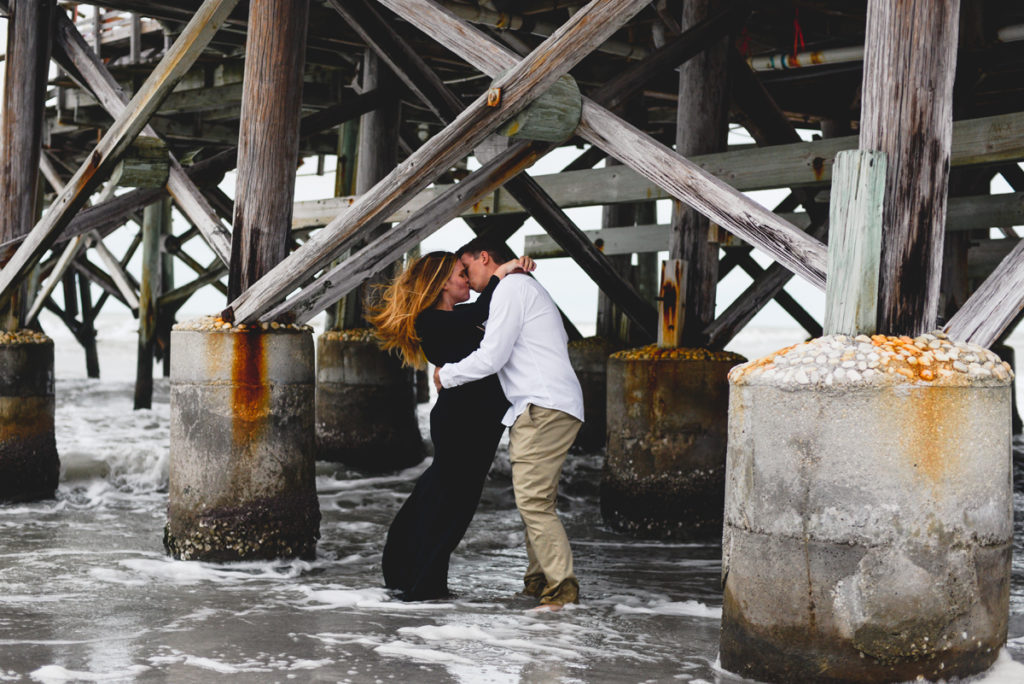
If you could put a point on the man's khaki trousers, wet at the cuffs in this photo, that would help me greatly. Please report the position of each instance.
(538, 444)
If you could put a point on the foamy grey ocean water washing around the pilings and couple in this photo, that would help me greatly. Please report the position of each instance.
(89, 595)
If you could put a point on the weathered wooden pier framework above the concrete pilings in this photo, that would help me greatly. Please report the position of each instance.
(152, 101)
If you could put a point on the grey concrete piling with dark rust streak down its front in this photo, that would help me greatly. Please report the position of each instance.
(242, 467)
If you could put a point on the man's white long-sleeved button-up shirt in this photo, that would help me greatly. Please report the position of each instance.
(526, 345)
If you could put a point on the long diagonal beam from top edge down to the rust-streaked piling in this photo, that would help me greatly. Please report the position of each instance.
(524, 82)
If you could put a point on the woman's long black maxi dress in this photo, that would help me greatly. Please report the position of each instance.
(465, 427)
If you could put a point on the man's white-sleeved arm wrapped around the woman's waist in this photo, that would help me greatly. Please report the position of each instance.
(507, 315)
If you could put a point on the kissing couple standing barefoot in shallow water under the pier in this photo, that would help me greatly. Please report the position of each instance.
(500, 362)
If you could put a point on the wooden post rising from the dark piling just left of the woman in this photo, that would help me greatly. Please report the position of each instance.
(377, 157)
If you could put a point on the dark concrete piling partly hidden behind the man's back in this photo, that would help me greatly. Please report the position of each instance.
(590, 361)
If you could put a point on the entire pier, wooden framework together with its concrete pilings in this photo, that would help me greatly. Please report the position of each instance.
(885, 123)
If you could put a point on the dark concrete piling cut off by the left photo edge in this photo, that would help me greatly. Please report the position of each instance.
(30, 467)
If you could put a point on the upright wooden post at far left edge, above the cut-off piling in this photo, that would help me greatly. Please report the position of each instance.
(26, 66)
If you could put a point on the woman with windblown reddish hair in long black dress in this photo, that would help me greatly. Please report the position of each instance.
(422, 316)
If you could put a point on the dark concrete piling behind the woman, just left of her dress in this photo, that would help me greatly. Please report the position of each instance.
(366, 405)
